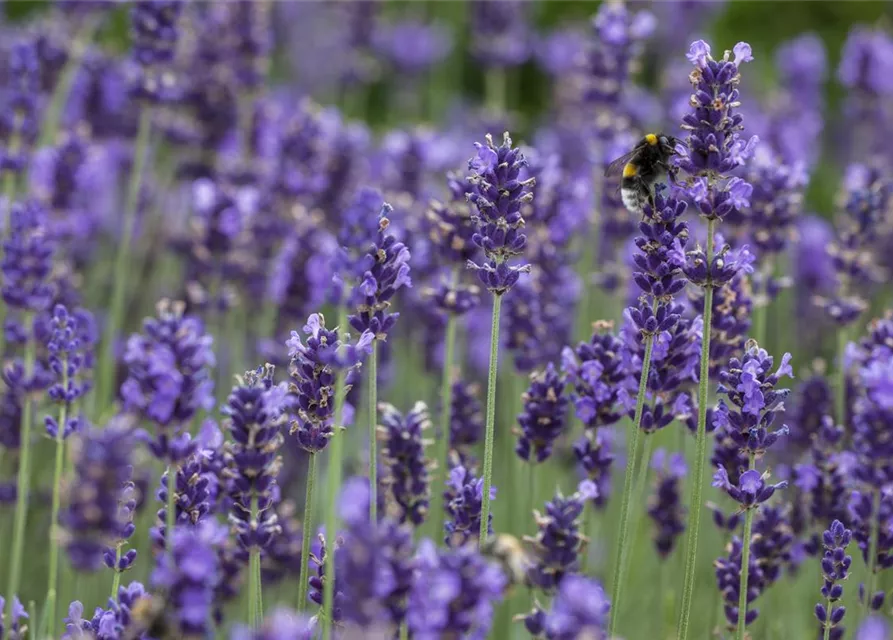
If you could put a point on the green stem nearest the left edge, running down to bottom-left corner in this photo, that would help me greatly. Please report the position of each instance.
(23, 483)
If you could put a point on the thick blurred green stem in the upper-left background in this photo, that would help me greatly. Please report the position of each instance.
(106, 374)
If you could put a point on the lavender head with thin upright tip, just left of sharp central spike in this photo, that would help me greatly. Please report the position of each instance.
(386, 271)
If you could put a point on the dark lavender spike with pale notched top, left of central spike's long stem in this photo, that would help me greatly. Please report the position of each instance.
(403, 453)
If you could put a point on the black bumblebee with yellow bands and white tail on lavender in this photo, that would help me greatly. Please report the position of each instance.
(641, 168)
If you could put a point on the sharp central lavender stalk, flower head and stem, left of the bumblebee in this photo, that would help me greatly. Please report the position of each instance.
(498, 198)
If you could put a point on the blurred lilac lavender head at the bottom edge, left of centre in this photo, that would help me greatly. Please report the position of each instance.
(189, 575)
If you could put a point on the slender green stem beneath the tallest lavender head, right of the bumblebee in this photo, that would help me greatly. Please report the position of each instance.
(697, 481)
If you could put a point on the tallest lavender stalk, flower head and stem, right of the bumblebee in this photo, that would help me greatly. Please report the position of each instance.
(713, 149)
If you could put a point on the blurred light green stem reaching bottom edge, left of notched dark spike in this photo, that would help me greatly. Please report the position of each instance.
(333, 488)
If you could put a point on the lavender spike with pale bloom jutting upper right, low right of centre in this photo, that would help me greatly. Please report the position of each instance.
(558, 543)
